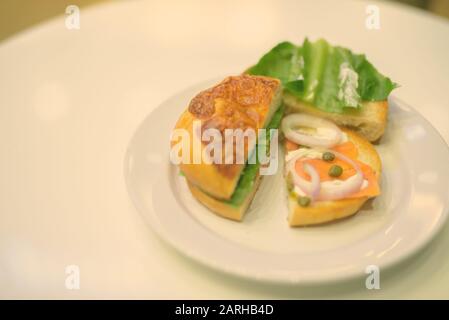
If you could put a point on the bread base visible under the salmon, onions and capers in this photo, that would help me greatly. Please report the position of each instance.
(325, 211)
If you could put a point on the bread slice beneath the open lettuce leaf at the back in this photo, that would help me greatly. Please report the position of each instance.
(369, 121)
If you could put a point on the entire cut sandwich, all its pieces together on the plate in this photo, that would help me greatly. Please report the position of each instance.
(335, 103)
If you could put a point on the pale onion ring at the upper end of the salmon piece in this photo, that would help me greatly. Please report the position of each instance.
(291, 123)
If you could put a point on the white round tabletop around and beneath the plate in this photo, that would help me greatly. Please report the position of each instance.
(70, 101)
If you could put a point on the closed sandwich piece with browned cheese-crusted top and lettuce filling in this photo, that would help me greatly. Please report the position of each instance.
(238, 102)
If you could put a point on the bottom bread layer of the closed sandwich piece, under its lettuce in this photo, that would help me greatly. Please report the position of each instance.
(223, 208)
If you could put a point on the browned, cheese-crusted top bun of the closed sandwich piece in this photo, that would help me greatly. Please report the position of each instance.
(238, 102)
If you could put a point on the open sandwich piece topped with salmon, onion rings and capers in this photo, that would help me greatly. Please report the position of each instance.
(330, 172)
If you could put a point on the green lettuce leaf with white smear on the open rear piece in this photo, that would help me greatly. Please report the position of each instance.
(331, 78)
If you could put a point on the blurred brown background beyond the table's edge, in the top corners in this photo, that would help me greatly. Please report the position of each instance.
(17, 15)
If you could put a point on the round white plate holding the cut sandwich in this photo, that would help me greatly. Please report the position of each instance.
(412, 208)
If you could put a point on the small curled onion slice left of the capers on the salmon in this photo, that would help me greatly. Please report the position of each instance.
(310, 188)
